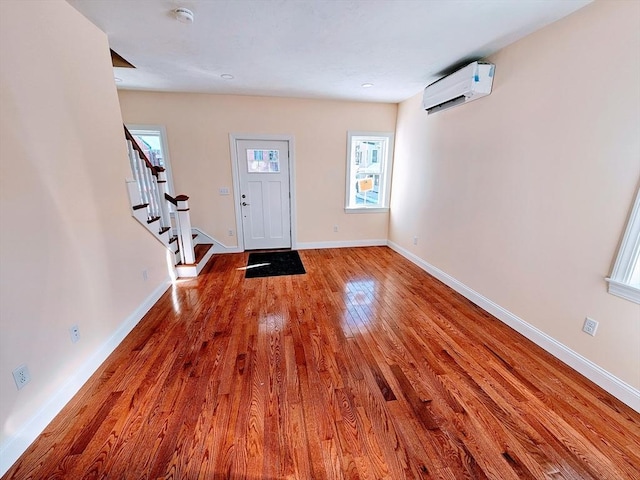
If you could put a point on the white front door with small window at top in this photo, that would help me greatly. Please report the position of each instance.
(263, 167)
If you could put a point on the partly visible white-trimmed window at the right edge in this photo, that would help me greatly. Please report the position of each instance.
(625, 278)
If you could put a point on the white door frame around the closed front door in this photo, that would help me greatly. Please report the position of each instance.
(233, 139)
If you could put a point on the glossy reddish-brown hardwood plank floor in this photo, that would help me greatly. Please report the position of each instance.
(364, 368)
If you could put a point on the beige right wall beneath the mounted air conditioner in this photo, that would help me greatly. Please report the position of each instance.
(523, 196)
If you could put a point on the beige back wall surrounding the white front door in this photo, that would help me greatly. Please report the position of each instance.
(198, 128)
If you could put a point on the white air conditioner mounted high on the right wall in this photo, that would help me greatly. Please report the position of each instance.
(469, 83)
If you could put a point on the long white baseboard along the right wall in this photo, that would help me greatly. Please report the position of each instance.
(598, 375)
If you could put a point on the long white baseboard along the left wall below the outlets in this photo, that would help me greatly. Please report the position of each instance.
(14, 446)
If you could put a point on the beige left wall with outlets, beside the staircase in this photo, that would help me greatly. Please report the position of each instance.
(70, 251)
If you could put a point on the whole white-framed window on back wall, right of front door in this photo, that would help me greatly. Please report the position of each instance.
(368, 171)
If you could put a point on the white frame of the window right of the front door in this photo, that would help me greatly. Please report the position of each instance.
(386, 166)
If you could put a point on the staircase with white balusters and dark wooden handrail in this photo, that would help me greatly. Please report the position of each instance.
(165, 217)
